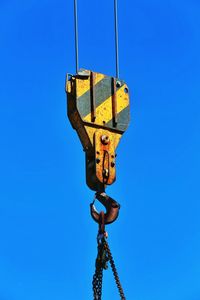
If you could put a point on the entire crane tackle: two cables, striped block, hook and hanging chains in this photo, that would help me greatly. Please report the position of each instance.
(98, 109)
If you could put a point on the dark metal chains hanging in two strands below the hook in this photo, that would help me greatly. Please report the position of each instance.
(104, 255)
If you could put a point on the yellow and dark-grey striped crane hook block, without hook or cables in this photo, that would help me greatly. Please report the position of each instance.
(98, 109)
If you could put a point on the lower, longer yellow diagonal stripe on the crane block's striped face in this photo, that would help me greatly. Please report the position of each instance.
(104, 110)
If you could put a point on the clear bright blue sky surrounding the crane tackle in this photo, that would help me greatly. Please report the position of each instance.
(47, 237)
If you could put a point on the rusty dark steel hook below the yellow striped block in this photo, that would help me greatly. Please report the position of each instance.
(112, 209)
